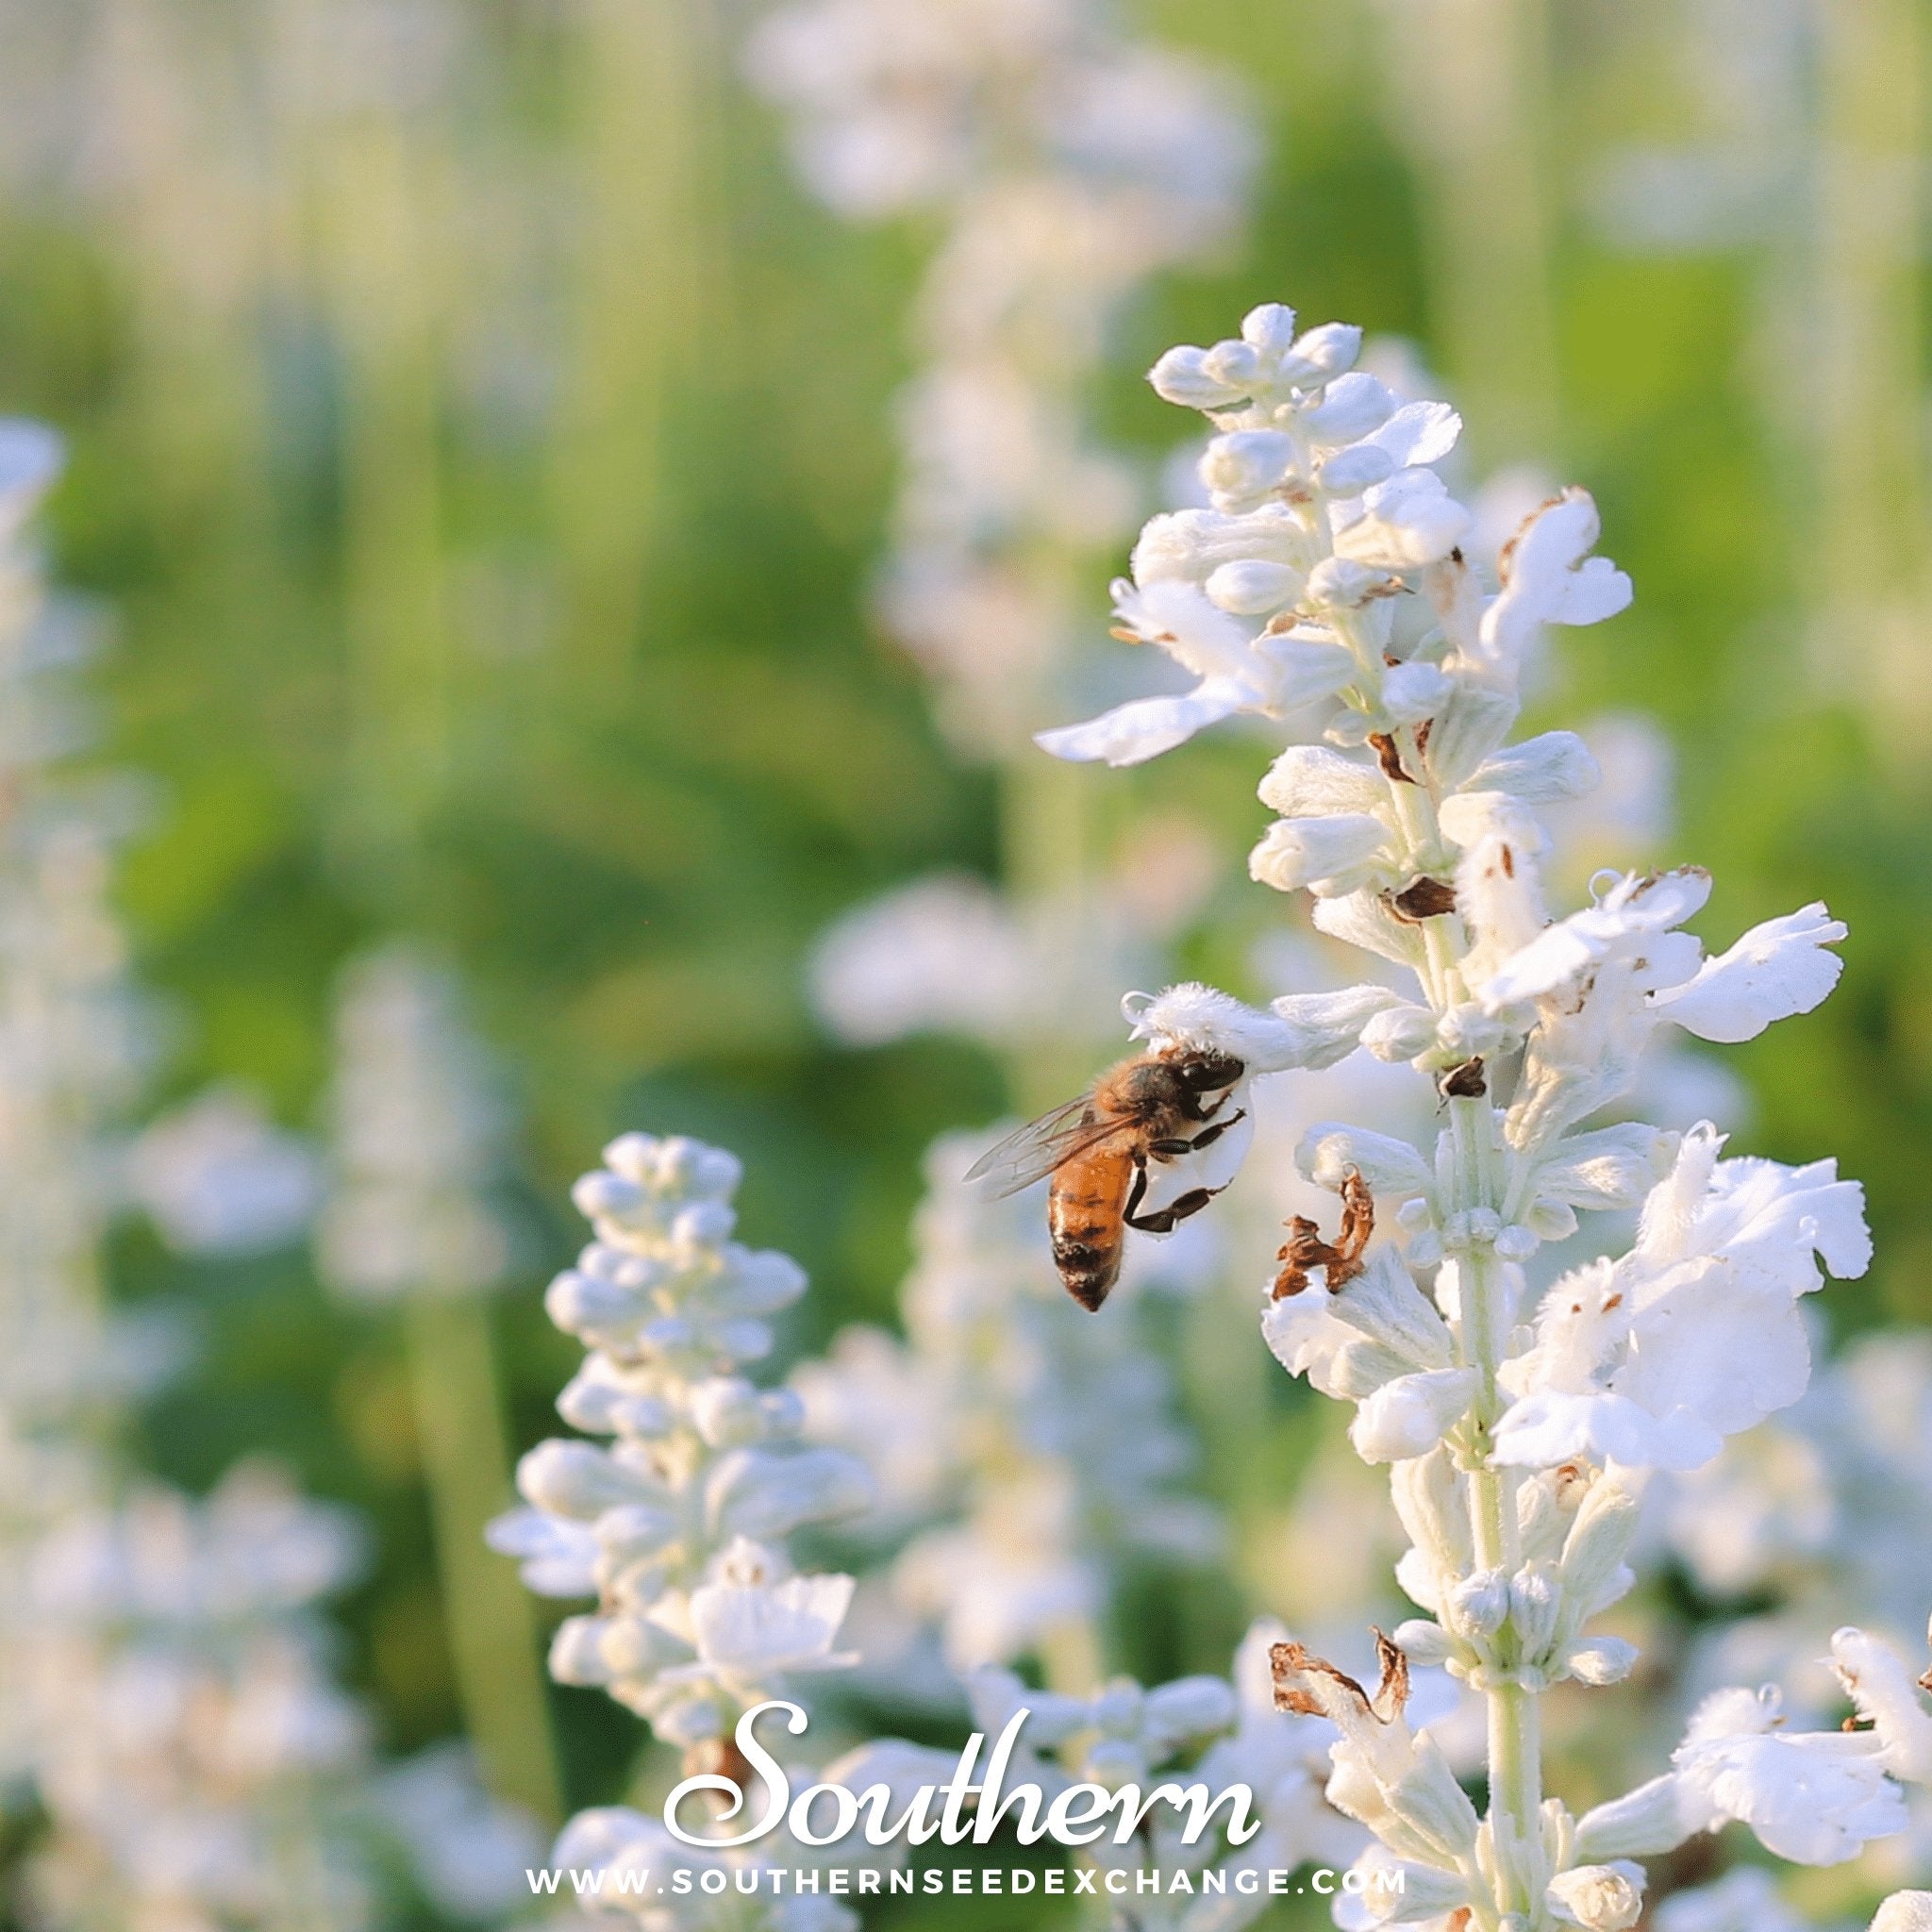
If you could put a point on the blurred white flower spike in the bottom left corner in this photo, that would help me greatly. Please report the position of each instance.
(196, 1763)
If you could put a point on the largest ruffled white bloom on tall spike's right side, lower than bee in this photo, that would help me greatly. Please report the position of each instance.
(1693, 1336)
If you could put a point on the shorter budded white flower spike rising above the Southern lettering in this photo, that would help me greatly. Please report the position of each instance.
(679, 1521)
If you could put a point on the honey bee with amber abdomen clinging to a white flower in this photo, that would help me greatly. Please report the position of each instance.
(1151, 1108)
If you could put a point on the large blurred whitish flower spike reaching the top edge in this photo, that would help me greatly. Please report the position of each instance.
(1067, 165)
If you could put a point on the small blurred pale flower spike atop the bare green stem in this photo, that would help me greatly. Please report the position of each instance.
(418, 1139)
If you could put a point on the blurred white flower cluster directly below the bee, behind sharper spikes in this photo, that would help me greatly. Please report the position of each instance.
(1019, 1446)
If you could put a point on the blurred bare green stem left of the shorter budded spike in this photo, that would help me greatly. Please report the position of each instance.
(492, 1626)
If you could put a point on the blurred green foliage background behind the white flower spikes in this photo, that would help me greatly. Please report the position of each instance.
(480, 453)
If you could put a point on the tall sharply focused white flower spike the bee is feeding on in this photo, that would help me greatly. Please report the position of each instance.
(1520, 1413)
